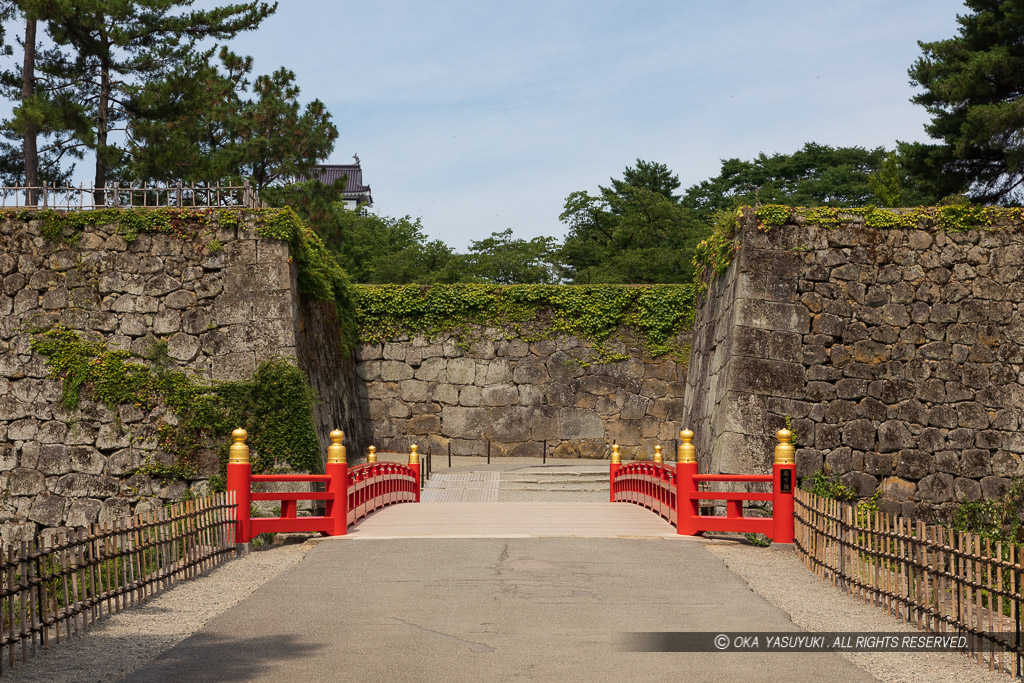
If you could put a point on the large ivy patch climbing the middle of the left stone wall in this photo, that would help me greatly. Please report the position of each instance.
(275, 405)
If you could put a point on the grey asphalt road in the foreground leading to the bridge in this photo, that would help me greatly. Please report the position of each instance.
(490, 610)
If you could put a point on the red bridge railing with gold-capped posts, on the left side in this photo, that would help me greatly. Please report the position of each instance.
(350, 494)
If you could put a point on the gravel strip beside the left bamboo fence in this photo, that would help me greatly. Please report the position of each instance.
(125, 643)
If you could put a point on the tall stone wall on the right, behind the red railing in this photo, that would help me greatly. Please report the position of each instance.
(898, 354)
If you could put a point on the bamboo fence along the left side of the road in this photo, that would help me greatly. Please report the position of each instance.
(54, 589)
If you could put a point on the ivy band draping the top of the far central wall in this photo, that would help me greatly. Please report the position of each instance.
(656, 315)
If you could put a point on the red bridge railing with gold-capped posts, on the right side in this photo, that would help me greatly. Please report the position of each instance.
(675, 493)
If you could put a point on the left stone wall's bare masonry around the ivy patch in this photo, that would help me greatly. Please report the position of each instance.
(221, 312)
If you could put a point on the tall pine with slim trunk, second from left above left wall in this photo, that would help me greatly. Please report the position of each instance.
(112, 51)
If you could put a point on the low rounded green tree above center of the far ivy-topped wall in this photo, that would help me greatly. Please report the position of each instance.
(505, 261)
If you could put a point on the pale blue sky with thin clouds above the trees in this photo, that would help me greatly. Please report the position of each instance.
(482, 116)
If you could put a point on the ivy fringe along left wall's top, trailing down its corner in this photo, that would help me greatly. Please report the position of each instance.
(320, 276)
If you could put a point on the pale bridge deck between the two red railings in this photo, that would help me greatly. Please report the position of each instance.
(513, 521)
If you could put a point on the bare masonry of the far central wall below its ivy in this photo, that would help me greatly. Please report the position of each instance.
(518, 396)
